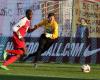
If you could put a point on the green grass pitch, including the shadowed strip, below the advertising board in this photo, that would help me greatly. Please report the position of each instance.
(50, 71)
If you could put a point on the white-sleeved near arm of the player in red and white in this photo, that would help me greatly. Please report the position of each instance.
(18, 26)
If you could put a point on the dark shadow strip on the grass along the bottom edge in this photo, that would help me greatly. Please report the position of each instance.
(16, 77)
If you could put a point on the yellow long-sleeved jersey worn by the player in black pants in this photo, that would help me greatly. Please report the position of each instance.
(51, 28)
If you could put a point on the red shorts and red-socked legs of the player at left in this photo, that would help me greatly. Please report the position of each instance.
(18, 52)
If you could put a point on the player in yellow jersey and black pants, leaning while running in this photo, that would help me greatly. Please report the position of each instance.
(47, 38)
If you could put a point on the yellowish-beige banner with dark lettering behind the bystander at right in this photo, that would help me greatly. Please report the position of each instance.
(90, 11)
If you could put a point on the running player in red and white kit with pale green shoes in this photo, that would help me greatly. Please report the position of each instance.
(19, 31)
